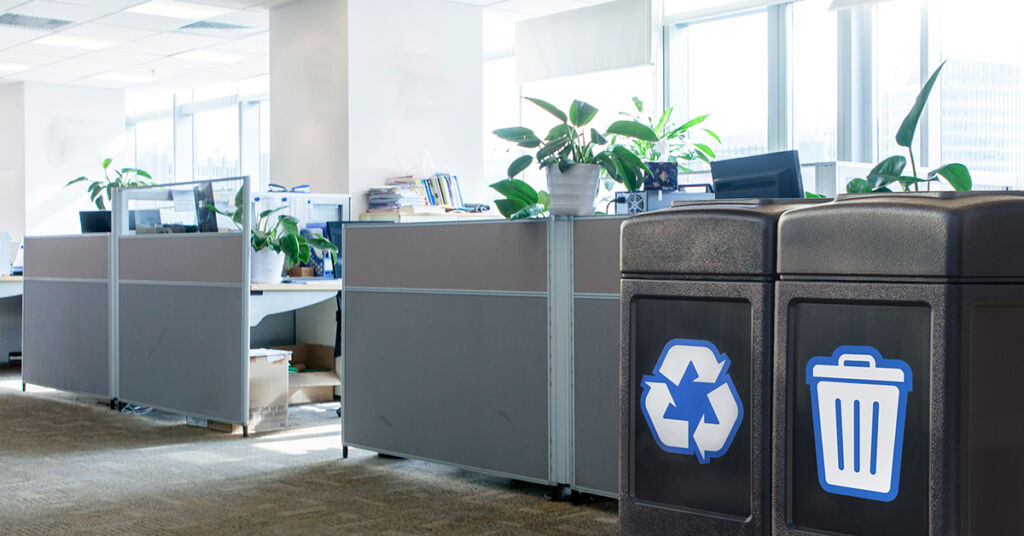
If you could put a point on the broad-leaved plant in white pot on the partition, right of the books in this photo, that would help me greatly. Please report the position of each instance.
(574, 158)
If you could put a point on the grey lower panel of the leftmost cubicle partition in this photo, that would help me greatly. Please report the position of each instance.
(66, 337)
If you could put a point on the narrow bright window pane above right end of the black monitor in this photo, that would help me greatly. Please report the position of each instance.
(815, 80)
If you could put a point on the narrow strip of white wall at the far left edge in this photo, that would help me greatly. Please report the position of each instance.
(13, 160)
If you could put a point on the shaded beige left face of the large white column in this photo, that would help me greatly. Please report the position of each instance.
(310, 94)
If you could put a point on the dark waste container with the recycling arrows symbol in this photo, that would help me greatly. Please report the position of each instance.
(696, 368)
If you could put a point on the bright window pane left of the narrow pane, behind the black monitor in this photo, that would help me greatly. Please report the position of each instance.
(720, 68)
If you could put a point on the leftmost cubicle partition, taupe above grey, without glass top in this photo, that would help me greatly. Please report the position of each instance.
(67, 314)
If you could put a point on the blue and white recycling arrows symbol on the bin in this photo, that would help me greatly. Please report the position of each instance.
(691, 403)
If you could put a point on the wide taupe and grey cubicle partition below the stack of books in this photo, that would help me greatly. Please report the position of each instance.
(446, 345)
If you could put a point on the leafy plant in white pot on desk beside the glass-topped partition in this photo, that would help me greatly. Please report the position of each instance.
(276, 241)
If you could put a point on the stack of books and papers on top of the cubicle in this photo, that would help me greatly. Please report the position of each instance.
(416, 196)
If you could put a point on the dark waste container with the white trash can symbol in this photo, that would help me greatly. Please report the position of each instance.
(900, 376)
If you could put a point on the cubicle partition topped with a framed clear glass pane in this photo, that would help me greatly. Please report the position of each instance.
(183, 312)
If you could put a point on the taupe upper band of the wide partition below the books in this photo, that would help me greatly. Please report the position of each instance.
(494, 256)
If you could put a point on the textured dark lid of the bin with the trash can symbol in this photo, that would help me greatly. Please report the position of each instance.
(945, 236)
